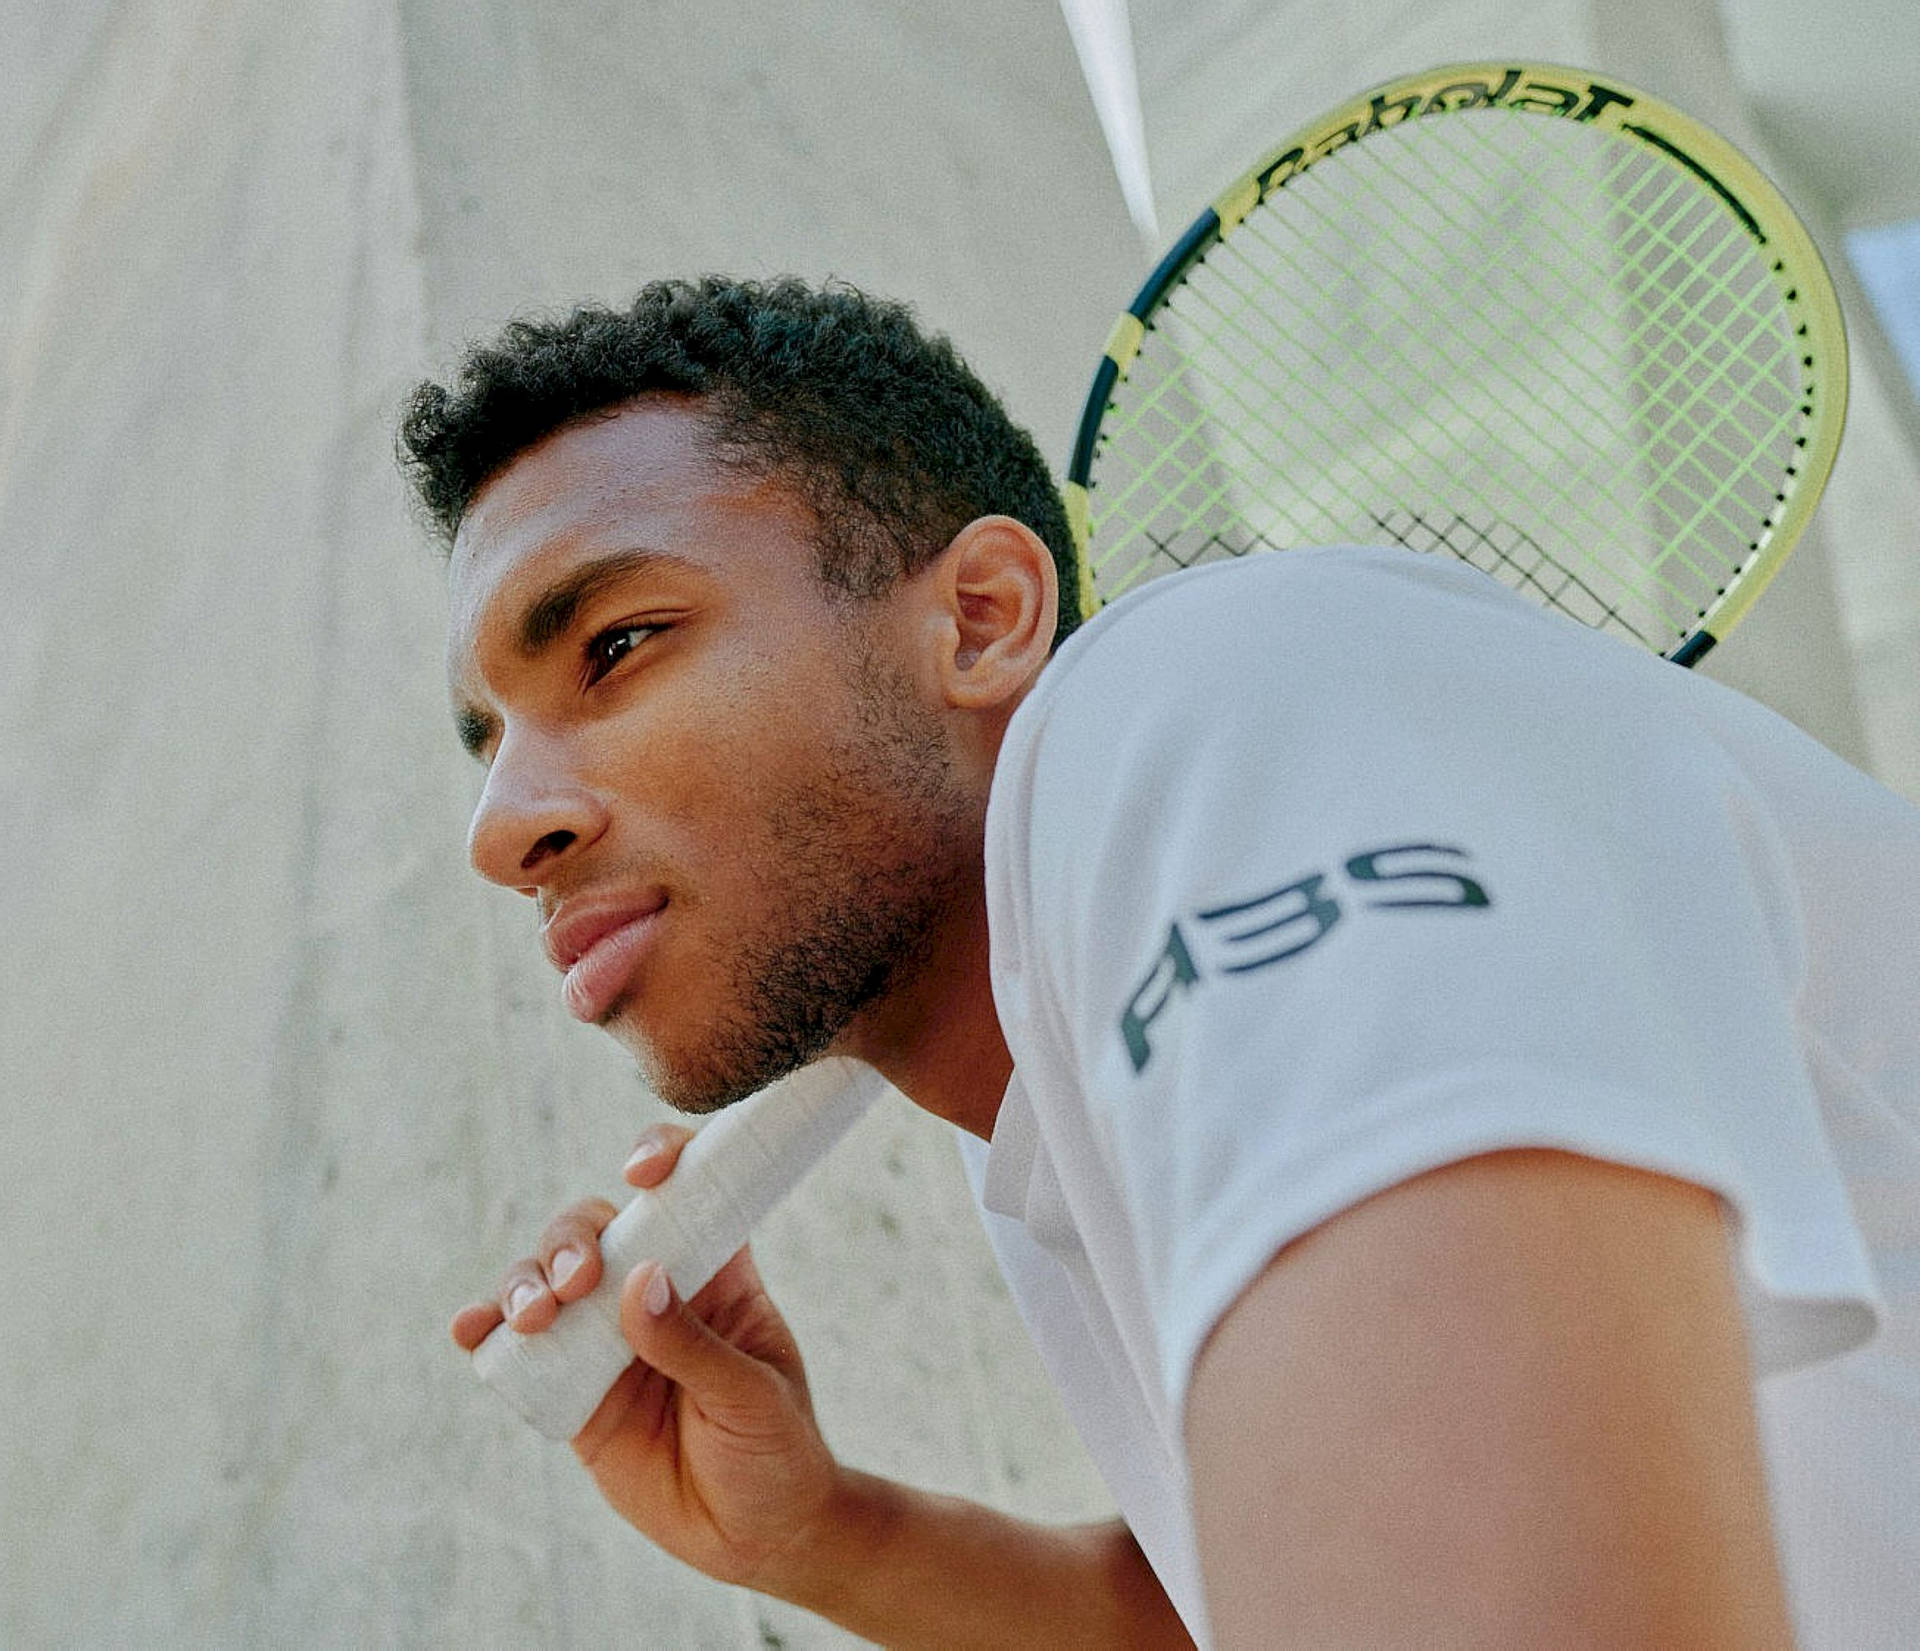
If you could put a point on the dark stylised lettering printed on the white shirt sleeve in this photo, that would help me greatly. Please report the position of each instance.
(1291, 921)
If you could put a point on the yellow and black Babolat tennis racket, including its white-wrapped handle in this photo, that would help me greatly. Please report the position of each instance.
(1512, 314)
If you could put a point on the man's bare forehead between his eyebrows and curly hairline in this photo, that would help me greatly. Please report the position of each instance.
(644, 479)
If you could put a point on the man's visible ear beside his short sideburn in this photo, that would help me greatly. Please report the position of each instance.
(996, 606)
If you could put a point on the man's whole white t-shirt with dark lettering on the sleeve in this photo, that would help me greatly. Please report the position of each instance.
(1324, 869)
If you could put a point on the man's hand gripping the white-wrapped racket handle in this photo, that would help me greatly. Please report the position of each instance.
(708, 1445)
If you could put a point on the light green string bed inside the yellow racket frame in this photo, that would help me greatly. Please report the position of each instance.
(1612, 371)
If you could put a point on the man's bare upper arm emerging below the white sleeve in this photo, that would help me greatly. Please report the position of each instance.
(1502, 1404)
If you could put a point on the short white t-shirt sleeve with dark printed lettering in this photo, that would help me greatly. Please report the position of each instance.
(1312, 903)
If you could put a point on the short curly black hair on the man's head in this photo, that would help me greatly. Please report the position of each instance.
(884, 431)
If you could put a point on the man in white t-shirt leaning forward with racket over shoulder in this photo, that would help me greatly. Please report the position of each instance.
(1441, 1084)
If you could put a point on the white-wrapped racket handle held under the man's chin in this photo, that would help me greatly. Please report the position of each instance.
(731, 1176)
